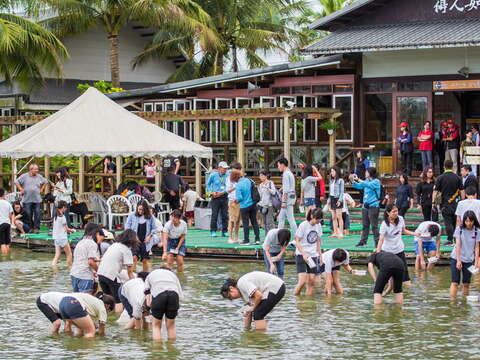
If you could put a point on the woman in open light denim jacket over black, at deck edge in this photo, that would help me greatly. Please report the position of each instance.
(143, 223)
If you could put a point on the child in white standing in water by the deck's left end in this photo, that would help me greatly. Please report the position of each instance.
(60, 234)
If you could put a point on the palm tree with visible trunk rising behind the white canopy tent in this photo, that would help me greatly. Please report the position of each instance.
(77, 16)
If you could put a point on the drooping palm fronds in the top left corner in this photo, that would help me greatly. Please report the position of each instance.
(28, 51)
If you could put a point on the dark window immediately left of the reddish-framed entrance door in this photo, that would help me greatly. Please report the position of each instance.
(378, 117)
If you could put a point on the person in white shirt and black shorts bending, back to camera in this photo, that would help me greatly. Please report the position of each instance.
(163, 293)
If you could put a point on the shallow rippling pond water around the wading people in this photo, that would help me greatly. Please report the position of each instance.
(428, 326)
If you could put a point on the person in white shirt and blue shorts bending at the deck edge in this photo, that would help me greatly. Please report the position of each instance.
(429, 231)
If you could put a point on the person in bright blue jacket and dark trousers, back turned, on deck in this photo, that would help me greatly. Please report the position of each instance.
(248, 209)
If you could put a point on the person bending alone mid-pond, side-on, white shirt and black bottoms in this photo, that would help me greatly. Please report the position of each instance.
(261, 290)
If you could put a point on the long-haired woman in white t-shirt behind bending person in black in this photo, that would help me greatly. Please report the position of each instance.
(391, 230)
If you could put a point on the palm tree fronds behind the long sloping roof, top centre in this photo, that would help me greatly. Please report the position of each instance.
(241, 27)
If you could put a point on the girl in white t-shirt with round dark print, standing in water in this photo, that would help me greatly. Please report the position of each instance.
(307, 254)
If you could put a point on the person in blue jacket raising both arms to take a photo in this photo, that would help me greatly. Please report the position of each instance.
(372, 190)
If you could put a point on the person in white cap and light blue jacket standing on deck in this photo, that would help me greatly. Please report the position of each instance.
(217, 187)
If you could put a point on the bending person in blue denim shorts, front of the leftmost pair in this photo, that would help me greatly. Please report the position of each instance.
(85, 310)
